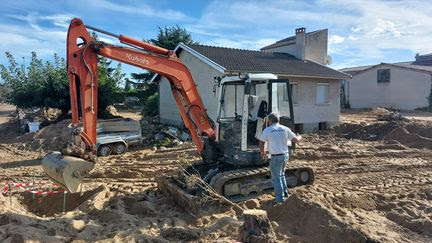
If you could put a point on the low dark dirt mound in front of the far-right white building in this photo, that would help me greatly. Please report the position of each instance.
(406, 133)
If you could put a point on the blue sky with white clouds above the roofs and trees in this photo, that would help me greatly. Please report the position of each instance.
(361, 32)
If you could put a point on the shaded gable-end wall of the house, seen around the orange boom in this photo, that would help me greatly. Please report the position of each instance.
(203, 75)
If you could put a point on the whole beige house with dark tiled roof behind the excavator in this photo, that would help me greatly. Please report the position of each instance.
(315, 87)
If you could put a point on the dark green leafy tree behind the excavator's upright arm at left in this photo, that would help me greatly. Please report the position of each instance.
(46, 85)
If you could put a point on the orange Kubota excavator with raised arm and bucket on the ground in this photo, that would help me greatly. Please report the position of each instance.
(231, 162)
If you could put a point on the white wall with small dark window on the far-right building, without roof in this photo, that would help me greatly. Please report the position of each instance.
(407, 89)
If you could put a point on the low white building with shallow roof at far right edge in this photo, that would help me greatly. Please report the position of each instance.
(402, 85)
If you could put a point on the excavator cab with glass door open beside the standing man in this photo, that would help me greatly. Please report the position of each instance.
(244, 105)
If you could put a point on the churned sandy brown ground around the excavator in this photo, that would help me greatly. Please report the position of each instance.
(373, 184)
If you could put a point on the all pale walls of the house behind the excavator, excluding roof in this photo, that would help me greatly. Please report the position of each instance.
(306, 111)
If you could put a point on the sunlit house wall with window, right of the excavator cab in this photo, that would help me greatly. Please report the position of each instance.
(307, 111)
